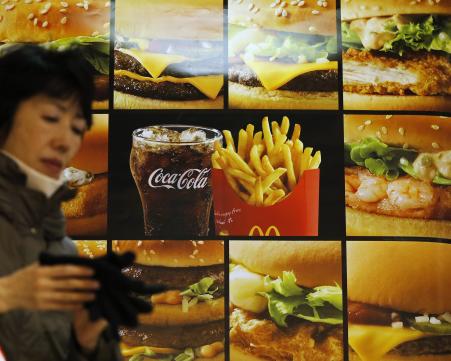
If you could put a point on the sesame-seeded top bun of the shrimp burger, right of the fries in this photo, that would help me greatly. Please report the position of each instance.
(420, 132)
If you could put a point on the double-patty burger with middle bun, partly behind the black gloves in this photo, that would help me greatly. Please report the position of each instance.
(187, 321)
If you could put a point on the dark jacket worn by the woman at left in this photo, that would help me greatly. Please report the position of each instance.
(29, 224)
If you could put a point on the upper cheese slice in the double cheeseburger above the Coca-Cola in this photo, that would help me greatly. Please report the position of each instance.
(154, 63)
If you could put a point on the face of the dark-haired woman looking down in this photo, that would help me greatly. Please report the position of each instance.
(46, 133)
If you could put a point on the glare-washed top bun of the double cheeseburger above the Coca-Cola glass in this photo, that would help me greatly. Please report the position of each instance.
(170, 19)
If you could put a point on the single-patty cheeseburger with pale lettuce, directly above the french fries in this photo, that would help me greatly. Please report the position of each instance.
(283, 55)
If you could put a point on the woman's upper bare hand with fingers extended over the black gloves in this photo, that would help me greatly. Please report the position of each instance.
(57, 288)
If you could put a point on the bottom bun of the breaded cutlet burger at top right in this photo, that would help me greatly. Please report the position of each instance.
(355, 101)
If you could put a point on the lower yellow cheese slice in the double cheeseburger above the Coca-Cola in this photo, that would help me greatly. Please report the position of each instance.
(209, 85)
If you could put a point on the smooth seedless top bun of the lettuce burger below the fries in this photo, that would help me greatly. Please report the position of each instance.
(314, 263)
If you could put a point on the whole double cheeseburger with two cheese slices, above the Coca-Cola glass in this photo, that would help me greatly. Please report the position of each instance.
(159, 66)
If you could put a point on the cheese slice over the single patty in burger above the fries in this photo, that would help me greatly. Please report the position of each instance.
(274, 75)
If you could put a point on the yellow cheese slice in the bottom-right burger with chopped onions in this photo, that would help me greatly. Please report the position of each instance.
(371, 343)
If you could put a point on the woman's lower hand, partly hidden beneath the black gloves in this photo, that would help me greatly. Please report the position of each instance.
(86, 331)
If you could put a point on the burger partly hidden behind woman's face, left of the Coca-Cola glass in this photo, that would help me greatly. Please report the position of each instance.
(86, 214)
